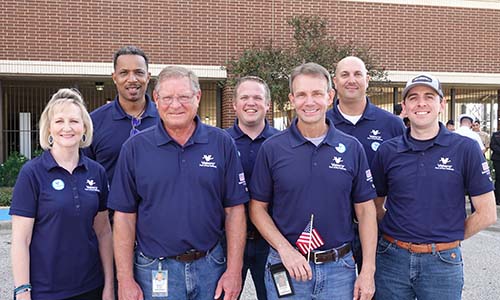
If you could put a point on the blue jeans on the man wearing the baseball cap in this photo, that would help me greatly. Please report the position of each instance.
(404, 275)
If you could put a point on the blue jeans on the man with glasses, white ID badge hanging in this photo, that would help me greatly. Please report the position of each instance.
(194, 280)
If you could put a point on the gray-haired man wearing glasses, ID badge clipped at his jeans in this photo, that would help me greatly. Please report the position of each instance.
(178, 186)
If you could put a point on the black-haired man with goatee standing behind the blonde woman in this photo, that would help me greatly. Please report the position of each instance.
(130, 112)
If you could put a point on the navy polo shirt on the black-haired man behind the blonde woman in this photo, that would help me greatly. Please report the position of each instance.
(111, 129)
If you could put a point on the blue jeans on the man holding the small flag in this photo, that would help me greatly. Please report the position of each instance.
(331, 281)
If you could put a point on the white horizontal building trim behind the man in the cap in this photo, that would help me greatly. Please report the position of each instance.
(491, 79)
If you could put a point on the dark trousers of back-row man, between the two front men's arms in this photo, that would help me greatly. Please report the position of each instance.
(255, 258)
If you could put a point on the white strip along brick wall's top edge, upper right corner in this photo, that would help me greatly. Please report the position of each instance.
(481, 4)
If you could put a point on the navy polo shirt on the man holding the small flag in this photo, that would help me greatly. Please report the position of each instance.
(299, 179)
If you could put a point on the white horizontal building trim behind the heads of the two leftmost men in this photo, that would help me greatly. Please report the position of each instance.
(89, 69)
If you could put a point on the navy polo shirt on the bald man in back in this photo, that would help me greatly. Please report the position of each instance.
(375, 126)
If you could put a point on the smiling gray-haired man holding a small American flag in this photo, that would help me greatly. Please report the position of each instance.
(315, 178)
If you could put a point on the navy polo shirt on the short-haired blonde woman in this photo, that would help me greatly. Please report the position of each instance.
(64, 252)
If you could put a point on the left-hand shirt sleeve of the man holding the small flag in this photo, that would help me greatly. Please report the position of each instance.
(261, 186)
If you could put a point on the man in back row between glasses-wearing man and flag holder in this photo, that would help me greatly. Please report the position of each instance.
(251, 100)
